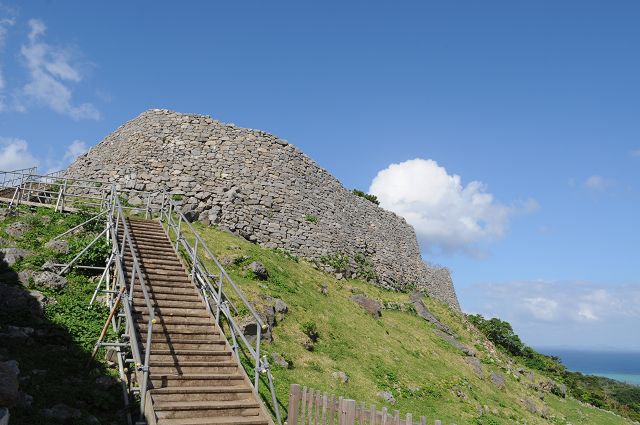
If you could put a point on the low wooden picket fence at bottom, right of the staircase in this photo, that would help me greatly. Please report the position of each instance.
(312, 407)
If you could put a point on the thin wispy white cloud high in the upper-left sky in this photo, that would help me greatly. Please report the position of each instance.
(50, 73)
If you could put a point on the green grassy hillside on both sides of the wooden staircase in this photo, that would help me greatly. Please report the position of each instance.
(398, 353)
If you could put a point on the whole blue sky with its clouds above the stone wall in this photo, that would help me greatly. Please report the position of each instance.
(506, 132)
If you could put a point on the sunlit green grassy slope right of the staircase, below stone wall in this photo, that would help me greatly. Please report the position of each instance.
(398, 352)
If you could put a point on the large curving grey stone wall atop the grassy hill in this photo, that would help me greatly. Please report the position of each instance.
(264, 189)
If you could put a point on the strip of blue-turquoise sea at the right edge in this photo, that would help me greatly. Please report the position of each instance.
(621, 366)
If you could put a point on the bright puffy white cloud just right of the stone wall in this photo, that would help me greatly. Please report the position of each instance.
(445, 214)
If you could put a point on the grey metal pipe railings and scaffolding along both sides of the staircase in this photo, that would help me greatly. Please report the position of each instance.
(215, 284)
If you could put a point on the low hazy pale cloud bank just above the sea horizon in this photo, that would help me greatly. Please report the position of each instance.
(562, 313)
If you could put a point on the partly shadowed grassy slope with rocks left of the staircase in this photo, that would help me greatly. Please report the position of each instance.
(53, 366)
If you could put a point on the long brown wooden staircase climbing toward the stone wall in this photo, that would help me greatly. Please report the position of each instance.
(195, 377)
